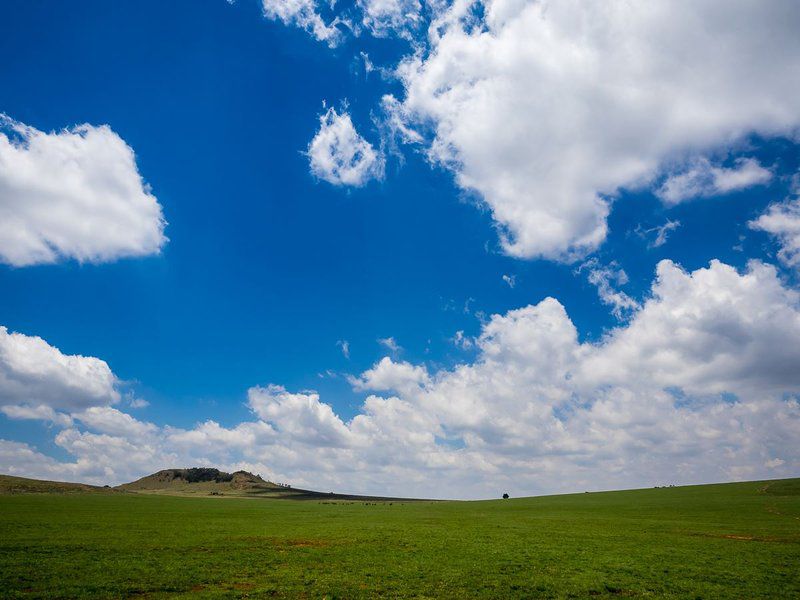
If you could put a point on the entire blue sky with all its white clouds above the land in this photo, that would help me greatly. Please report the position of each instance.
(406, 247)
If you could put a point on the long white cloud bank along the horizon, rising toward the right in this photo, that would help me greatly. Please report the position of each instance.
(700, 384)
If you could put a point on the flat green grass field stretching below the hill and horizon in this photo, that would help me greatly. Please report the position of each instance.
(720, 541)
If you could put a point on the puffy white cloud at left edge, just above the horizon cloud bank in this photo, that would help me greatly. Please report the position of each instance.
(34, 374)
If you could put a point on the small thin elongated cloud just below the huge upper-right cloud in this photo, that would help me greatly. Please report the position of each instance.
(703, 179)
